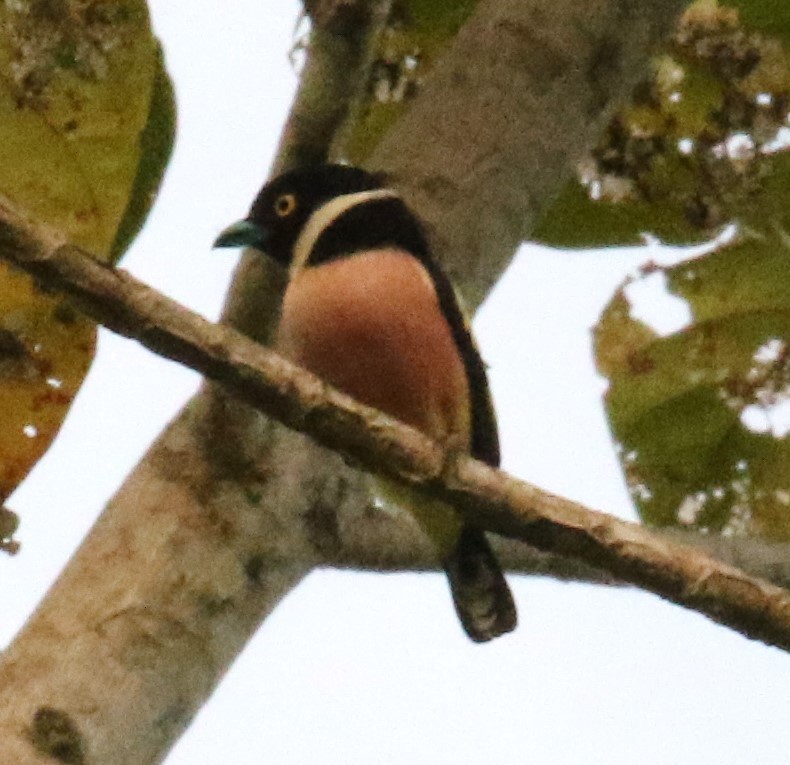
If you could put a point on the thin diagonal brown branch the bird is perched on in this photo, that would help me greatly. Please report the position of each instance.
(489, 497)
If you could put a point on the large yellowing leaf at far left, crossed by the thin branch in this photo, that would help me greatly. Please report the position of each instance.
(86, 124)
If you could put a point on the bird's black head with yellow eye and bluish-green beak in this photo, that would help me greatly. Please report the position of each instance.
(283, 206)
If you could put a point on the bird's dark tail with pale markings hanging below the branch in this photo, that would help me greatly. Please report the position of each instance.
(480, 592)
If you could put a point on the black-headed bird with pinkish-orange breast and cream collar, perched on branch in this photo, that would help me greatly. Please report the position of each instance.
(369, 310)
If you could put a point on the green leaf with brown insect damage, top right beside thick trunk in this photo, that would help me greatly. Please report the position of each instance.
(696, 149)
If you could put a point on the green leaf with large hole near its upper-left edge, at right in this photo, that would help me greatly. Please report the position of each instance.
(697, 414)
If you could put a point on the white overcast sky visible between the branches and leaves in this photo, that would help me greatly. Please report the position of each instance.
(593, 675)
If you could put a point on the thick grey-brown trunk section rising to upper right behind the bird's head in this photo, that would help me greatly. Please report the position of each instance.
(499, 125)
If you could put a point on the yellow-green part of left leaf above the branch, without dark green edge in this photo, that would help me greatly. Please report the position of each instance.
(76, 88)
